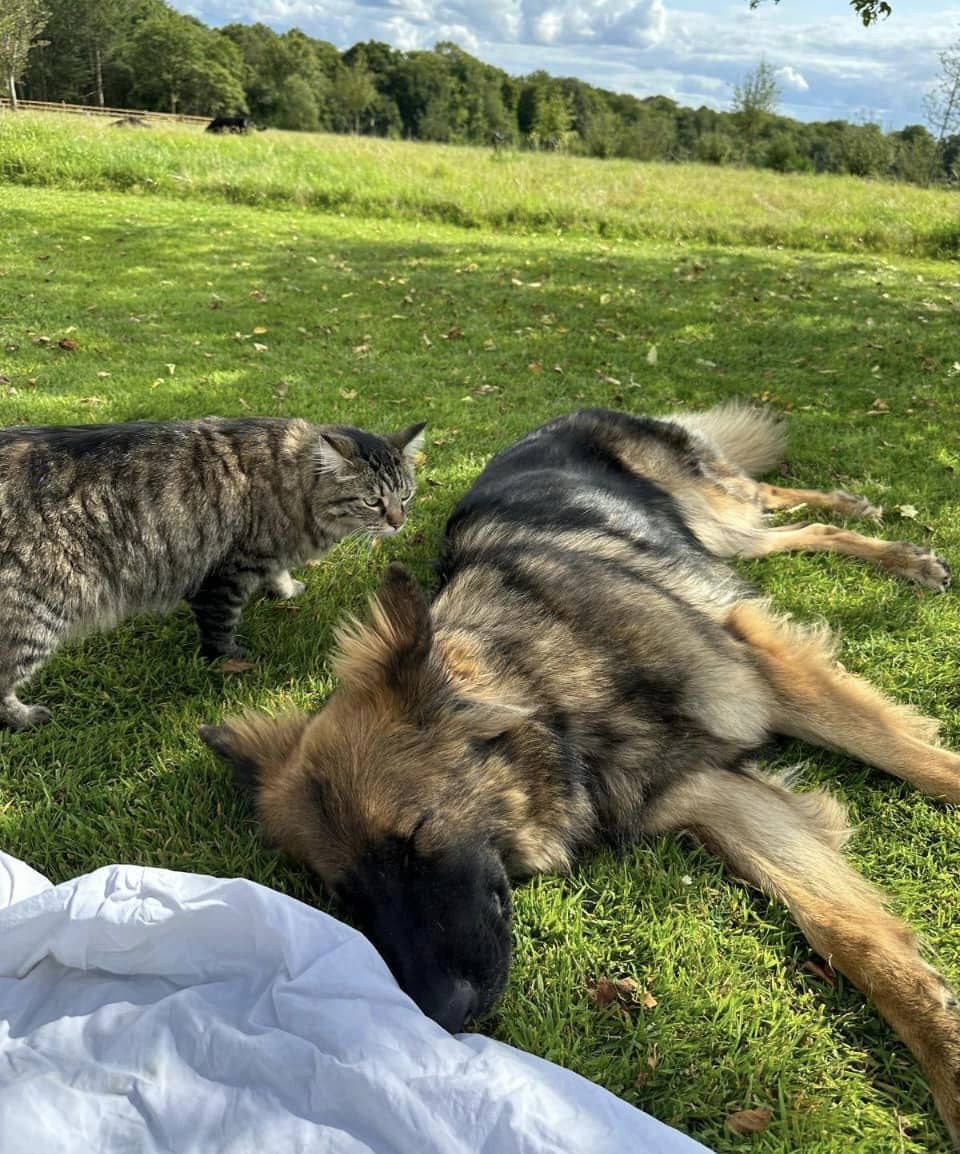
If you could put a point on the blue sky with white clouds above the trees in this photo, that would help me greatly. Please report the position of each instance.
(694, 51)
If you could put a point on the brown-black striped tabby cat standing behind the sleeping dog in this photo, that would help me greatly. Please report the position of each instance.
(100, 522)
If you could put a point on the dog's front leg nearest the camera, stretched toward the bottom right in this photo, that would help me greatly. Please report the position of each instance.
(789, 845)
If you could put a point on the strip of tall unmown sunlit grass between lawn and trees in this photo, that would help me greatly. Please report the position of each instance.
(478, 189)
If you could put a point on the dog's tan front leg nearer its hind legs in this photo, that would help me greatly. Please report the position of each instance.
(819, 702)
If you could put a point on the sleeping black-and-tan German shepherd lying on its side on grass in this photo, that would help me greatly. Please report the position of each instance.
(591, 672)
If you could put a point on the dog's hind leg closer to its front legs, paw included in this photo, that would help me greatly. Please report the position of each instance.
(901, 558)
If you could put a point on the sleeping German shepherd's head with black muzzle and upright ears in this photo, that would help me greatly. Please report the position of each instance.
(397, 797)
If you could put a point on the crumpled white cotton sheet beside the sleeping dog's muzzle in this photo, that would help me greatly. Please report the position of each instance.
(149, 1011)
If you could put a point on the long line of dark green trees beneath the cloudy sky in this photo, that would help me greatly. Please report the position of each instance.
(144, 55)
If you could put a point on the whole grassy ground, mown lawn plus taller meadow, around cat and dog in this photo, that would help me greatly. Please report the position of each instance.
(179, 304)
